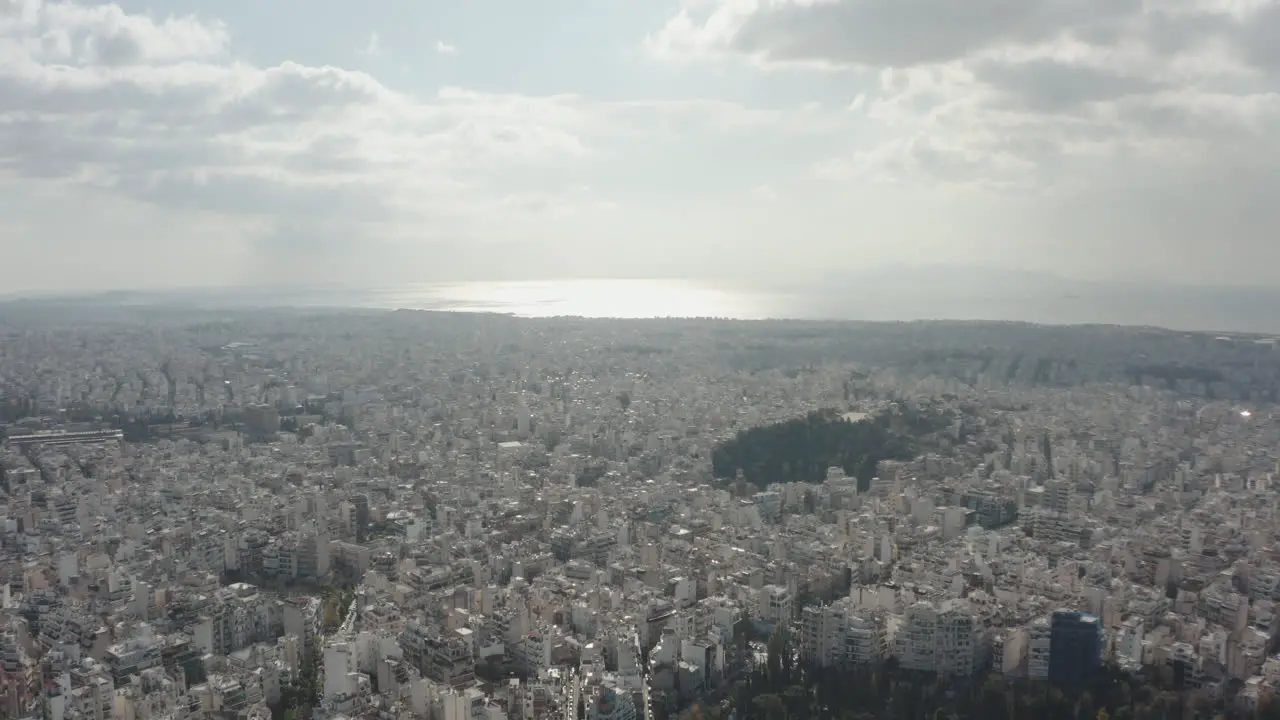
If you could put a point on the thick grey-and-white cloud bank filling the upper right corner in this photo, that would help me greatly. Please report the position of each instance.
(1018, 94)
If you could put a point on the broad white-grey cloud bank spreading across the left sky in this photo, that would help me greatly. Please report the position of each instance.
(161, 112)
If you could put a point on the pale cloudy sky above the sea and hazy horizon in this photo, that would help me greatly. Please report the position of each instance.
(175, 144)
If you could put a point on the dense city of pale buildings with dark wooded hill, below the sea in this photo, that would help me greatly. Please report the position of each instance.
(469, 517)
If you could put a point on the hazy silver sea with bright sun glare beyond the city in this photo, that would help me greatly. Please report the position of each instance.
(884, 299)
